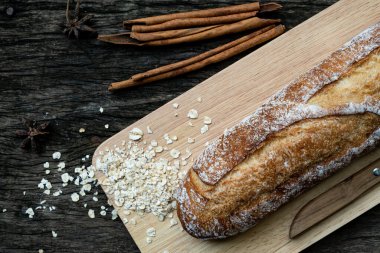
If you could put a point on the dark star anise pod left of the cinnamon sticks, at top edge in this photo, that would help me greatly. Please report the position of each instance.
(76, 25)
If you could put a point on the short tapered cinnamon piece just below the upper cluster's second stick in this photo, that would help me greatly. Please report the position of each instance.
(161, 35)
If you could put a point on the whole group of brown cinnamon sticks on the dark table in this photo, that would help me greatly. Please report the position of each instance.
(195, 26)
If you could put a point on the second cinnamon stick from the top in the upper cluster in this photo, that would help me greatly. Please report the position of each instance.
(193, 22)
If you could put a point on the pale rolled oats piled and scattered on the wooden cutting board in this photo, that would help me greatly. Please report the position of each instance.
(139, 181)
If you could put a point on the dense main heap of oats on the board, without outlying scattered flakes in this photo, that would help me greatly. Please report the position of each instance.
(139, 182)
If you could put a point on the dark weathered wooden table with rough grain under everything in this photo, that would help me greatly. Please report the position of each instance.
(45, 76)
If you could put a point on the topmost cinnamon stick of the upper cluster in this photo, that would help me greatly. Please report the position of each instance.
(222, 11)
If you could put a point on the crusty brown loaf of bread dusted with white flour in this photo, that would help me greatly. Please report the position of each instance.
(303, 134)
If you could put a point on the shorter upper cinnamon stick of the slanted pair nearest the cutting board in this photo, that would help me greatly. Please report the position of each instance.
(199, 57)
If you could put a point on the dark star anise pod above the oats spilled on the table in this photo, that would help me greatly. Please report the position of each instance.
(34, 134)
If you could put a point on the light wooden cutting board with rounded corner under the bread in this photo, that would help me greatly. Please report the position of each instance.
(234, 93)
